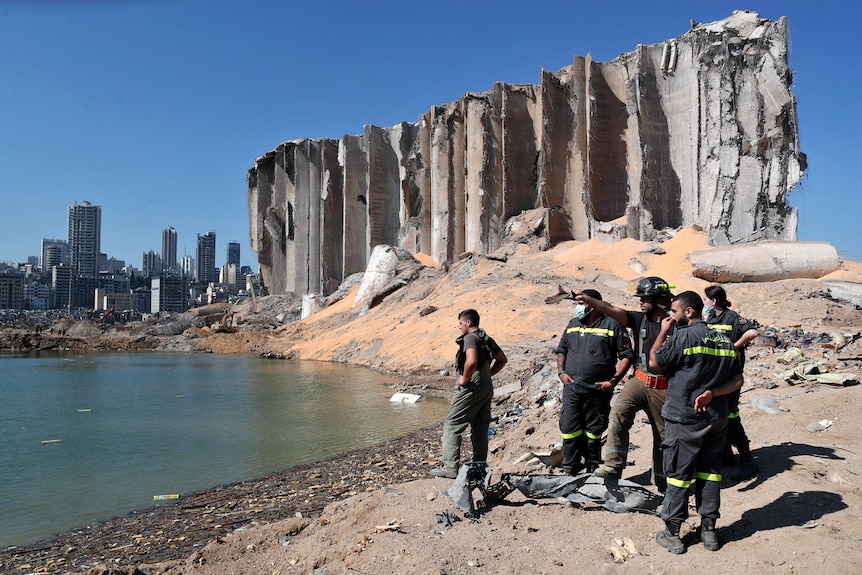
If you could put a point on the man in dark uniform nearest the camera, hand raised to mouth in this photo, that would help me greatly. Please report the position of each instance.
(702, 369)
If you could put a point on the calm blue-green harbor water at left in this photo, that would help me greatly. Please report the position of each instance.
(87, 437)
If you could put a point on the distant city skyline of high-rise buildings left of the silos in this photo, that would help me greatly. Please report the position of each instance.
(75, 273)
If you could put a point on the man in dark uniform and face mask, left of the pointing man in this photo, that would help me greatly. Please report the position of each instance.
(588, 366)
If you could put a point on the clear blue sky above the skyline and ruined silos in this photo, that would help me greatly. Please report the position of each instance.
(156, 109)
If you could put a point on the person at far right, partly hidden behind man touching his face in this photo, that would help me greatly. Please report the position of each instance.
(718, 315)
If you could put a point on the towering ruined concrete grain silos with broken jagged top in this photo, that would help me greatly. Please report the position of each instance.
(700, 129)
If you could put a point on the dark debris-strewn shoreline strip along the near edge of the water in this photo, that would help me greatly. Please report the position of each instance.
(175, 531)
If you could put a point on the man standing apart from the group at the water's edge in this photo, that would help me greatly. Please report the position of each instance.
(478, 359)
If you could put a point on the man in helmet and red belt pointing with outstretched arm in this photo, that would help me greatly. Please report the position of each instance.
(645, 390)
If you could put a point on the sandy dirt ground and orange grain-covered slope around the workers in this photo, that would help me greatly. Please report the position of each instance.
(801, 514)
